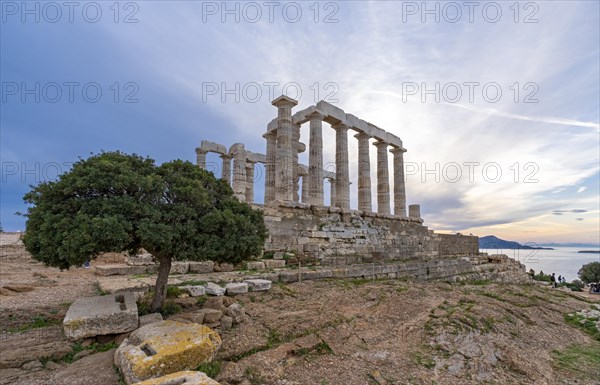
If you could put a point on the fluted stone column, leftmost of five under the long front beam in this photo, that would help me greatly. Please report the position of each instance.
(315, 160)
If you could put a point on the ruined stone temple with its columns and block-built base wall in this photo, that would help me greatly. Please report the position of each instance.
(300, 223)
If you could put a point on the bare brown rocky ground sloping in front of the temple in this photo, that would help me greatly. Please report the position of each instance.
(346, 332)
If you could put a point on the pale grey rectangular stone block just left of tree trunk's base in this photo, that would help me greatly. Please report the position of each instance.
(108, 314)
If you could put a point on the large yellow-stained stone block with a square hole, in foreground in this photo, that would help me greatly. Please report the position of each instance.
(163, 348)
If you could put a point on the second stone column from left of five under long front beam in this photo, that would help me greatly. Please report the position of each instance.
(342, 177)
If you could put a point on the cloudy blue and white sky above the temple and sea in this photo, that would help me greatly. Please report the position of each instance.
(496, 102)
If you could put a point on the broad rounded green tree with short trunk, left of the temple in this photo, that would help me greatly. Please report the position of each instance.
(114, 202)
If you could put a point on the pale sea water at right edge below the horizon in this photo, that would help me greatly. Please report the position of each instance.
(565, 261)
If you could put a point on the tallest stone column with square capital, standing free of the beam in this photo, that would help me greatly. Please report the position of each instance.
(284, 171)
